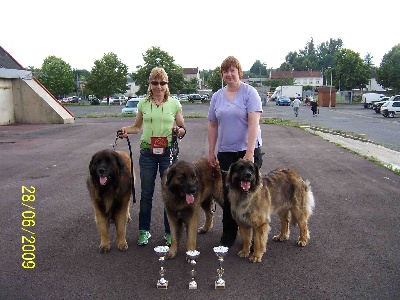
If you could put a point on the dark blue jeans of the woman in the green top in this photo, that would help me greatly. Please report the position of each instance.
(149, 164)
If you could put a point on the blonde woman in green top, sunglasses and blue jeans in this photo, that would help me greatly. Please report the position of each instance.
(157, 115)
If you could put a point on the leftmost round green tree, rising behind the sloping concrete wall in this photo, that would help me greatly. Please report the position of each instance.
(57, 76)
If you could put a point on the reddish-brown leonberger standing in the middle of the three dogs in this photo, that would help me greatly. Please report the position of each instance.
(187, 187)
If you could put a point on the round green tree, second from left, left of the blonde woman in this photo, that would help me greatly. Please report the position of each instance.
(108, 76)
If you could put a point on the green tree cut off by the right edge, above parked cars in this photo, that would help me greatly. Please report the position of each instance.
(388, 74)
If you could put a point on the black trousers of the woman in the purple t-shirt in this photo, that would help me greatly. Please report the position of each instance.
(229, 226)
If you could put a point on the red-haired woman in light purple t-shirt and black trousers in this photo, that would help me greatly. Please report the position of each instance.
(234, 117)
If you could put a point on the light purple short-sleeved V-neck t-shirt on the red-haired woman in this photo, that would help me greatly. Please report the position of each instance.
(232, 117)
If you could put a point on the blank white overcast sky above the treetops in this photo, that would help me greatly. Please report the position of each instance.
(195, 33)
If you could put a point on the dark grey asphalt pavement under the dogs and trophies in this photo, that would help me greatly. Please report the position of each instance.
(47, 223)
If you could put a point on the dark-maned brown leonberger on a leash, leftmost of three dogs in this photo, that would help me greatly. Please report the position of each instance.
(110, 187)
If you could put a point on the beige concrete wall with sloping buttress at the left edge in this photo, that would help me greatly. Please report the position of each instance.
(29, 102)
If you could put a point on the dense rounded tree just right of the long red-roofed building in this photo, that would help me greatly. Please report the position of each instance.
(351, 71)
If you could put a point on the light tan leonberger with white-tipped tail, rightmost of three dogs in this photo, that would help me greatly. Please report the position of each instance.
(253, 199)
